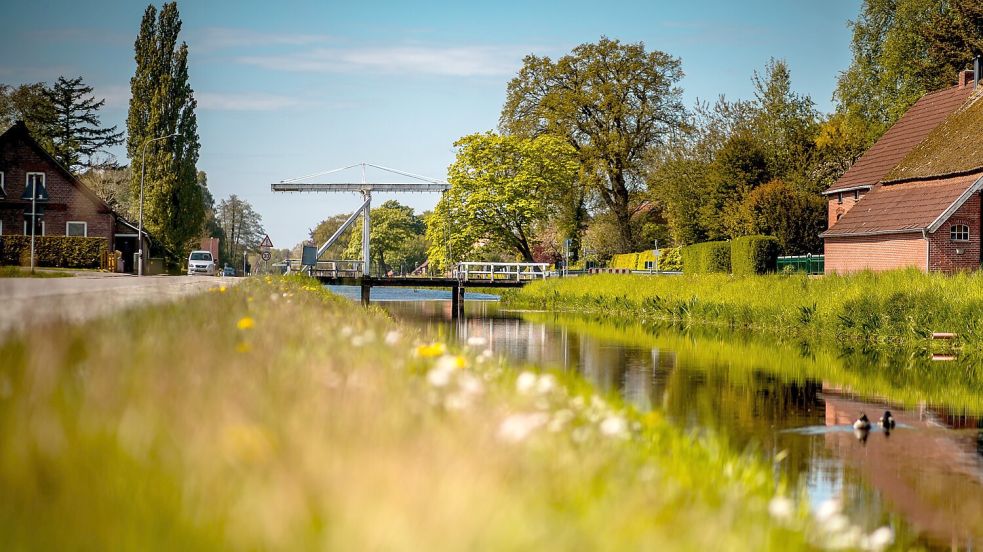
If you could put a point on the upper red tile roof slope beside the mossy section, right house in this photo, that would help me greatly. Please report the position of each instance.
(920, 119)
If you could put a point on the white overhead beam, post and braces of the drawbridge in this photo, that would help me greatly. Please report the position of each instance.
(417, 183)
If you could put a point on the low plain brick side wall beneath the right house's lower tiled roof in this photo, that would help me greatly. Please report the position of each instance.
(885, 252)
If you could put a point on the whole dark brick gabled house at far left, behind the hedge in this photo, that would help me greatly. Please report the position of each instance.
(64, 206)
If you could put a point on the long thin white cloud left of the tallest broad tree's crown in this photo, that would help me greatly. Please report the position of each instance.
(466, 61)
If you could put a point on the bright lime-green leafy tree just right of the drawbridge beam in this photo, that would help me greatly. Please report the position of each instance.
(501, 188)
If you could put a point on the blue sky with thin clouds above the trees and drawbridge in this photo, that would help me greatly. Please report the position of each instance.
(288, 89)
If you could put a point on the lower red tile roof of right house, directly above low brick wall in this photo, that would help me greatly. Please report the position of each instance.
(904, 207)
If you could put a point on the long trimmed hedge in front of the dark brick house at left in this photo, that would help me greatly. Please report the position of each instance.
(57, 251)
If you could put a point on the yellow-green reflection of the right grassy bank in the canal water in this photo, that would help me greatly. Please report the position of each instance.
(902, 377)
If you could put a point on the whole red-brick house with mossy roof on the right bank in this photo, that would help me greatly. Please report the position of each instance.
(913, 199)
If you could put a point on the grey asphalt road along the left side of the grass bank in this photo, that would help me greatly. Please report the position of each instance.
(28, 301)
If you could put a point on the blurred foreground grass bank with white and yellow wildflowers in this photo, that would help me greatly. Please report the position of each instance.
(274, 415)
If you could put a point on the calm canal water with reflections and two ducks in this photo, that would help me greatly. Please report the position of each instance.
(924, 479)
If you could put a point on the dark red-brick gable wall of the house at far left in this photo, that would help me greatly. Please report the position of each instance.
(66, 201)
